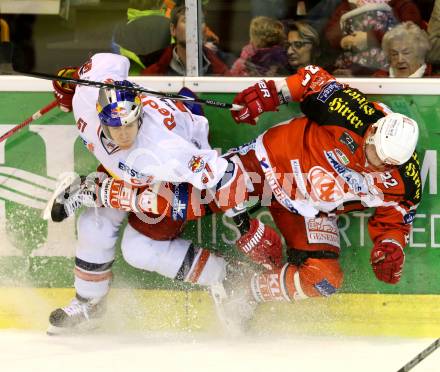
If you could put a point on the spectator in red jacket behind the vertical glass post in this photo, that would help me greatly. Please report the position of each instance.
(172, 59)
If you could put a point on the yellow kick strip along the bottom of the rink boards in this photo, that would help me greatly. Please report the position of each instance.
(411, 316)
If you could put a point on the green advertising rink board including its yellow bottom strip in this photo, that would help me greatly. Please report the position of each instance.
(34, 253)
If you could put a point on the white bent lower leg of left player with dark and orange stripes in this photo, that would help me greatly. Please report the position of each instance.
(177, 259)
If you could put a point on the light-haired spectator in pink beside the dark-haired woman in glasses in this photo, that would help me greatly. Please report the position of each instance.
(265, 54)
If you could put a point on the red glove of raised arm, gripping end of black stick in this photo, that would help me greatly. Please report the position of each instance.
(255, 100)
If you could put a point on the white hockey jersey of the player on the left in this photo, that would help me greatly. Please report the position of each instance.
(171, 145)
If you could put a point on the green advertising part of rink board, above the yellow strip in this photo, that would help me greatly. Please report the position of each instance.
(34, 252)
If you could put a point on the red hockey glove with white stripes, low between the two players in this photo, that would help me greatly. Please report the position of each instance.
(262, 244)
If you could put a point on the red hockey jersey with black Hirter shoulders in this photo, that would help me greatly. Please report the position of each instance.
(317, 164)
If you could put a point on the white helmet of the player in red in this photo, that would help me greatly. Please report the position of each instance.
(395, 138)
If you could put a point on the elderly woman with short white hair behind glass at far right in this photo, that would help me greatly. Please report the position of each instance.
(406, 47)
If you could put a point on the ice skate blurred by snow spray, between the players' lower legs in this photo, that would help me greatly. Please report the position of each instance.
(234, 303)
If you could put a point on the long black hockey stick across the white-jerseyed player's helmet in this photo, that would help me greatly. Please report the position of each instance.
(98, 84)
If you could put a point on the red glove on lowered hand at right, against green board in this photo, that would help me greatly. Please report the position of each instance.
(387, 259)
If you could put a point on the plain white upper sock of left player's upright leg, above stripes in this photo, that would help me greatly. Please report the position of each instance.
(97, 234)
